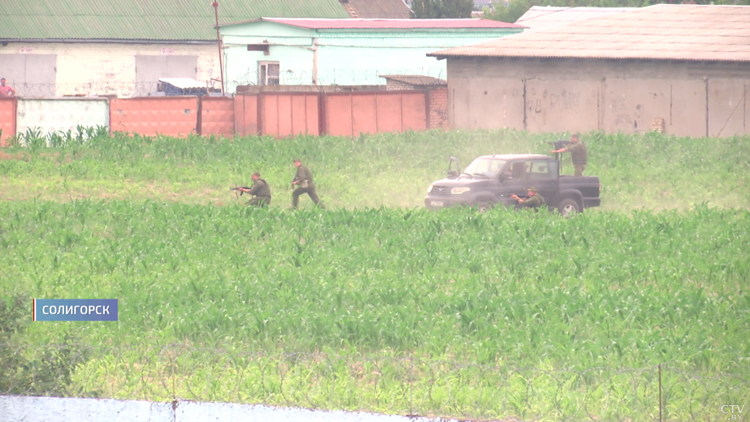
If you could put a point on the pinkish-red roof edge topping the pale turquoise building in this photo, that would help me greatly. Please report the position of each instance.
(388, 23)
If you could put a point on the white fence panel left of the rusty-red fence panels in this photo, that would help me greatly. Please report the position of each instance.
(53, 115)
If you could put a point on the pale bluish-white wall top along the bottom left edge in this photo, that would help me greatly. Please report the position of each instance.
(52, 409)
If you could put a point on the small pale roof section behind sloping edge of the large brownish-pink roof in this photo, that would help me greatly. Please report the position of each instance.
(541, 17)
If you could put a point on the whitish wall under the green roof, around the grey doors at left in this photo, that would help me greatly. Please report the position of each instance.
(102, 68)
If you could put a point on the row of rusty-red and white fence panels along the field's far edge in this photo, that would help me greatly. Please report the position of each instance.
(278, 114)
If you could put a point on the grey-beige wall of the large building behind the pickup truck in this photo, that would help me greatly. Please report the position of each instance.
(549, 95)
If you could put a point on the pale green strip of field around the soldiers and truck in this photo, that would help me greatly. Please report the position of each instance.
(652, 171)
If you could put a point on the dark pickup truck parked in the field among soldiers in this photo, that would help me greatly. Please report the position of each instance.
(490, 180)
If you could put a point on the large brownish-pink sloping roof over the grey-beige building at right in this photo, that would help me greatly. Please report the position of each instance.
(661, 32)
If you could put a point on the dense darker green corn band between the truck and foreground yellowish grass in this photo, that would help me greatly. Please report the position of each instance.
(605, 287)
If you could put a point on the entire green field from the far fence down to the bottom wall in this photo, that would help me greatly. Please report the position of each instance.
(377, 304)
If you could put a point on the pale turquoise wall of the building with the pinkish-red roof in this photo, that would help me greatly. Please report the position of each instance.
(341, 57)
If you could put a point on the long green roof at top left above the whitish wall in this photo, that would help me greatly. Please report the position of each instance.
(143, 20)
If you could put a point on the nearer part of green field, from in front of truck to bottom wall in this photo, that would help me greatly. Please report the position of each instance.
(452, 313)
